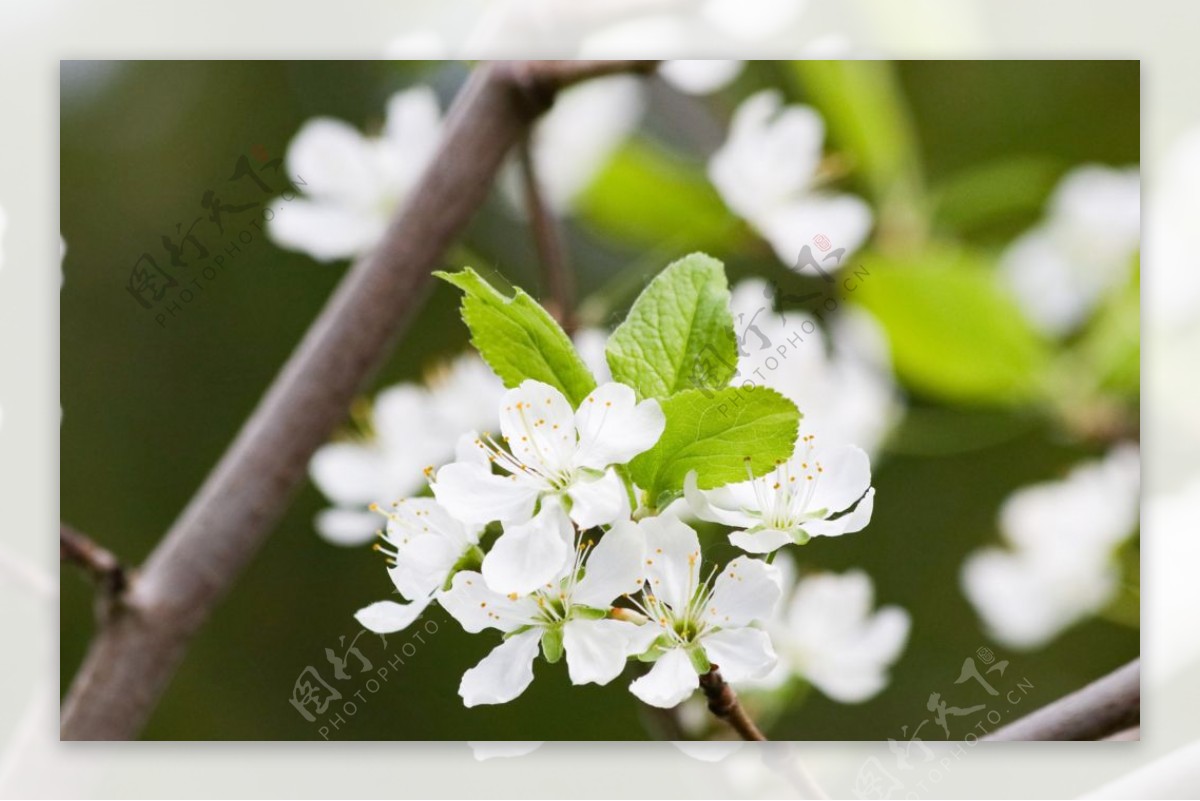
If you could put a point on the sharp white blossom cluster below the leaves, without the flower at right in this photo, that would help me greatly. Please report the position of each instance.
(572, 575)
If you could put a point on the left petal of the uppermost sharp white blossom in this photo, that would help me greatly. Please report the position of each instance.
(475, 496)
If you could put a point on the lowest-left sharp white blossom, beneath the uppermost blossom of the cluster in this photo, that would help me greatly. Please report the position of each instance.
(568, 616)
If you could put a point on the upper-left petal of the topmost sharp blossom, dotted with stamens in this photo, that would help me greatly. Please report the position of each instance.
(539, 426)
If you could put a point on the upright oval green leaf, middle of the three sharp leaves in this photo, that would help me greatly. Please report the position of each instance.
(679, 334)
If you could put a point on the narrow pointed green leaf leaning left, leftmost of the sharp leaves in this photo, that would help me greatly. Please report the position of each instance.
(519, 339)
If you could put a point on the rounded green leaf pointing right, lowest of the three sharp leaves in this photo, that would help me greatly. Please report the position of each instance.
(717, 435)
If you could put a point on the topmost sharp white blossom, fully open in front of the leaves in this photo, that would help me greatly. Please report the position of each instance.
(553, 455)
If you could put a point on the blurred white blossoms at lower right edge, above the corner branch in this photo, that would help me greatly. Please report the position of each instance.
(1060, 568)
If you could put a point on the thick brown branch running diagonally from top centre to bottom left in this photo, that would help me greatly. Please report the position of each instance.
(133, 659)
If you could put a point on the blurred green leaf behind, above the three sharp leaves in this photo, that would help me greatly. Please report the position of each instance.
(647, 196)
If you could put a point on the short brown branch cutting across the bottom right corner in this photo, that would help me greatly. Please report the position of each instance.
(1105, 708)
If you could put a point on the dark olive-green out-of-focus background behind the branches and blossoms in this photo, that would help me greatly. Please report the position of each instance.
(148, 411)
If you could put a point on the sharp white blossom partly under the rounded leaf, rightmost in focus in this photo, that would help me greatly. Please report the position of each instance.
(811, 496)
